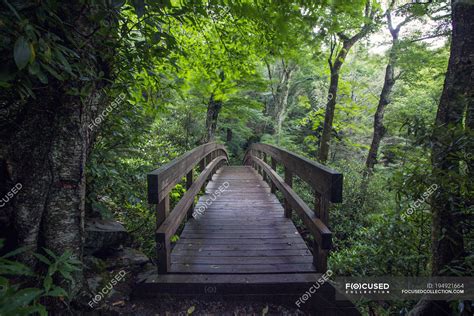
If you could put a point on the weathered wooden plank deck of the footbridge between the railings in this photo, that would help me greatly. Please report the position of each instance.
(242, 231)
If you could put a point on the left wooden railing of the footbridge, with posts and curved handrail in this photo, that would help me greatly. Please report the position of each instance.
(161, 181)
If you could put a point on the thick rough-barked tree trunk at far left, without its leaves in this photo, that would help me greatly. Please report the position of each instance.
(44, 144)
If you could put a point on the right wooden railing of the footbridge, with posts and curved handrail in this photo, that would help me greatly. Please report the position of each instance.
(326, 183)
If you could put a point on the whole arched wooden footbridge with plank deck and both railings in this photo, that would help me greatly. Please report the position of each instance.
(238, 239)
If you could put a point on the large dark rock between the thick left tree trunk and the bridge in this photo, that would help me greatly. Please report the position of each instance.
(104, 236)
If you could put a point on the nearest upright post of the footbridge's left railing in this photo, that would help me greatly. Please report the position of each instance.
(162, 245)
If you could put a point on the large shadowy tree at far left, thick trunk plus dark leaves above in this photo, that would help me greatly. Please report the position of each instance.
(56, 68)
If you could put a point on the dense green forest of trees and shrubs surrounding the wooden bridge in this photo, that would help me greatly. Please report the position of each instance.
(97, 93)
